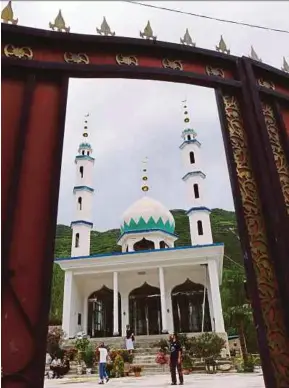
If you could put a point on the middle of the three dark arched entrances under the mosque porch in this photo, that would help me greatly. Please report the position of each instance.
(145, 310)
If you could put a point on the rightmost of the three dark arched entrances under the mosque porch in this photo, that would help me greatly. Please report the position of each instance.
(187, 301)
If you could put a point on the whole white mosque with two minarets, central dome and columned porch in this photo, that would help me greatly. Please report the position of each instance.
(151, 285)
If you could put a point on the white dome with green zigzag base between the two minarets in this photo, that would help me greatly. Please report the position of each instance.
(147, 214)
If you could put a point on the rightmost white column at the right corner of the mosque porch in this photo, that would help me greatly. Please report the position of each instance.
(216, 296)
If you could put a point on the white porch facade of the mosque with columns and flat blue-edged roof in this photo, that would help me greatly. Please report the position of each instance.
(124, 272)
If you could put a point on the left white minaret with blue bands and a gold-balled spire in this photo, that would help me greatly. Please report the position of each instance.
(83, 197)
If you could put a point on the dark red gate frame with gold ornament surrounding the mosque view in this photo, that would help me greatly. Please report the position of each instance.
(253, 103)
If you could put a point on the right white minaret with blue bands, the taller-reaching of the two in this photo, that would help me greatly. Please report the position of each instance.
(199, 214)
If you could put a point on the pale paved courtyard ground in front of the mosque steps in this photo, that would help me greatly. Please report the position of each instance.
(252, 380)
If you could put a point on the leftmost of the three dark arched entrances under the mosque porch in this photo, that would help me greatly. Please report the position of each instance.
(100, 313)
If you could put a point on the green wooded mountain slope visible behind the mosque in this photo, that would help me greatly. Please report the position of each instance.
(223, 228)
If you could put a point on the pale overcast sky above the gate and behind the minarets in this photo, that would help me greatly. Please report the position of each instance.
(132, 119)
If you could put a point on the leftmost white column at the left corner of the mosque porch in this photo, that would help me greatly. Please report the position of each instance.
(67, 301)
